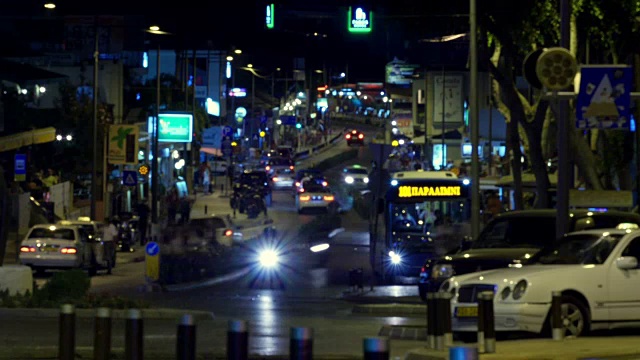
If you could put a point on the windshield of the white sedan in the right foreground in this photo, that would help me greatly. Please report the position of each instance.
(578, 249)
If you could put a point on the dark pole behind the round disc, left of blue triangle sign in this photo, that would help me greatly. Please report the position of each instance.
(562, 199)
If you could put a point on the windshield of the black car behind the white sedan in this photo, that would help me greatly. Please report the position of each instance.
(517, 232)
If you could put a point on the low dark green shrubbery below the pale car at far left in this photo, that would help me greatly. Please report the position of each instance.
(68, 287)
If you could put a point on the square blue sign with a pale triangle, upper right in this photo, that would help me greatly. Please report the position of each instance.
(604, 97)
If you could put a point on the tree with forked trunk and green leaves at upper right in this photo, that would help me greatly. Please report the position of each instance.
(514, 29)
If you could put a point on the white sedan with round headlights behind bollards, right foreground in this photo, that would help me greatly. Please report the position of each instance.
(596, 271)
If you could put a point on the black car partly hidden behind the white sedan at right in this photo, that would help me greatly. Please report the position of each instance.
(510, 238)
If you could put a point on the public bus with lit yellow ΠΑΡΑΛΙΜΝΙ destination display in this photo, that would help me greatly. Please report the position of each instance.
(426, 214)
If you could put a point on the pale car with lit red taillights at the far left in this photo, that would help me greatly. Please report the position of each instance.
(49, 246)
